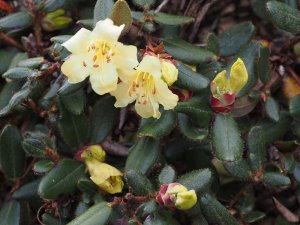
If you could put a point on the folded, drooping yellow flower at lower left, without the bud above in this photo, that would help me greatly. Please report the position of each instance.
(106, 177)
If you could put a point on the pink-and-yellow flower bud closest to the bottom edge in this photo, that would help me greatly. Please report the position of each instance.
(176, 195)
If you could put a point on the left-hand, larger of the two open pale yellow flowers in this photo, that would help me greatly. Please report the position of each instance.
(98, 54)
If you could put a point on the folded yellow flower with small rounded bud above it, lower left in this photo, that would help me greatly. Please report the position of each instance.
(106, 177)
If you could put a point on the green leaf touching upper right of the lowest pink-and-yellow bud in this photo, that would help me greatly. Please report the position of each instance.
(198, 180)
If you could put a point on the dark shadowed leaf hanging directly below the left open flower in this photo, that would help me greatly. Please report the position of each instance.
(103, 119)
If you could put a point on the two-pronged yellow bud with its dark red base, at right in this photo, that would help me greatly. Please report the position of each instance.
(224, 90)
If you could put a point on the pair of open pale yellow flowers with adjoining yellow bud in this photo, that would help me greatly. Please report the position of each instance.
(113, 68)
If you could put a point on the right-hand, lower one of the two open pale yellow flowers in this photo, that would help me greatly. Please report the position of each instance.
(145, 86)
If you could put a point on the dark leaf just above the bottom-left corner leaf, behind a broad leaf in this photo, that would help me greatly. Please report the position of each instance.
(28, 191)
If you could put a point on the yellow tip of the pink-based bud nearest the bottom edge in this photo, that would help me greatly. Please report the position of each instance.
(186, 199)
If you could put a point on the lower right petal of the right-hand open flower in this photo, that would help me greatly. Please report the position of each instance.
(164, 96)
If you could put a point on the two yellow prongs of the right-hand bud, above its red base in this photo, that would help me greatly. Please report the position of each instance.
(237, 80)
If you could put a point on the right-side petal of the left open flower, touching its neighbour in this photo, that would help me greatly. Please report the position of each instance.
(125, 59)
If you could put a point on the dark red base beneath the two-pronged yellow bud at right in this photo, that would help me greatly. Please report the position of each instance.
(223, 105)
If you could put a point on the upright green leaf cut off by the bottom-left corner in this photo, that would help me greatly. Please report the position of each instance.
(10, 213)
